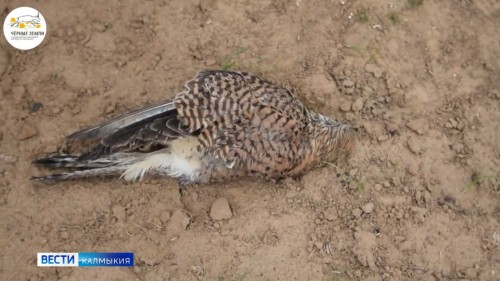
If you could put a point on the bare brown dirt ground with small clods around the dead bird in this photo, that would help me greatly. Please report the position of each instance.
(418, 200)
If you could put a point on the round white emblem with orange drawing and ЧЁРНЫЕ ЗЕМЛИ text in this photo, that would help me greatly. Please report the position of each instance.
(24, 28)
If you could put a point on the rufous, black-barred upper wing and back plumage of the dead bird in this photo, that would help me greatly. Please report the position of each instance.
(244, 119)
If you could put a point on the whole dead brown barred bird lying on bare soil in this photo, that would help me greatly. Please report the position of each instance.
(223, 125)
